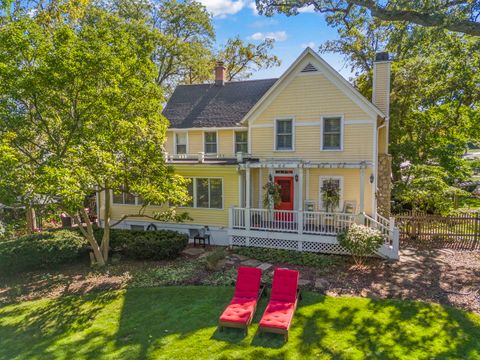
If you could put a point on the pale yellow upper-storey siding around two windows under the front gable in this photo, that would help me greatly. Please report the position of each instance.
(307, 99)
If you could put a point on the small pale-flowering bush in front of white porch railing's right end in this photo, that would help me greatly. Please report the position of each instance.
(361, 241)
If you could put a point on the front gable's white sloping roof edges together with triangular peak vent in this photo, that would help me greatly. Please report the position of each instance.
(317, 63)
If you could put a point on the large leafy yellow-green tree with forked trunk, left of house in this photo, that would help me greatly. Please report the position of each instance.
(80, 112)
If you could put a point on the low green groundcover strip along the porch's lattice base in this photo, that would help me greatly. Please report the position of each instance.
(289, 257)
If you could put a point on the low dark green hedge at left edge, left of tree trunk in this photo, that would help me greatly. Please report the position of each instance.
(40, 250)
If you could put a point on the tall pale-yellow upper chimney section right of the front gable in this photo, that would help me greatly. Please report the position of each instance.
(381, 82)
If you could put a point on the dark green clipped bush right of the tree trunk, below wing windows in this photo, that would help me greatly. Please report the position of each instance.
(147, 245)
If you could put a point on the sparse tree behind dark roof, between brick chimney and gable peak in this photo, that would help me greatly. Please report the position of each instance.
(241, 59)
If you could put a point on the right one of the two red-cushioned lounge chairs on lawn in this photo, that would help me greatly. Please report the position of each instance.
(283, 302)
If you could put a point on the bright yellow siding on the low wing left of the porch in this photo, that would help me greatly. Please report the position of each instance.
(214, 217)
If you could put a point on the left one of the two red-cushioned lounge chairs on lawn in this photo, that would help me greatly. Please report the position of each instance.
(239, 313)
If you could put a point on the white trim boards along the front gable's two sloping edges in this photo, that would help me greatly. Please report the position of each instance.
(330, 73)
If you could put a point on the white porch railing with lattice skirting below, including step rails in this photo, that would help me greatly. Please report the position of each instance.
(313, 231)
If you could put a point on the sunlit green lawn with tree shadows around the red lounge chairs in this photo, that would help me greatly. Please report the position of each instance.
(180, 323)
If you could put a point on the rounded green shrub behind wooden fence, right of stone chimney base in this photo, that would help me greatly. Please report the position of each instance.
(425, 188)
